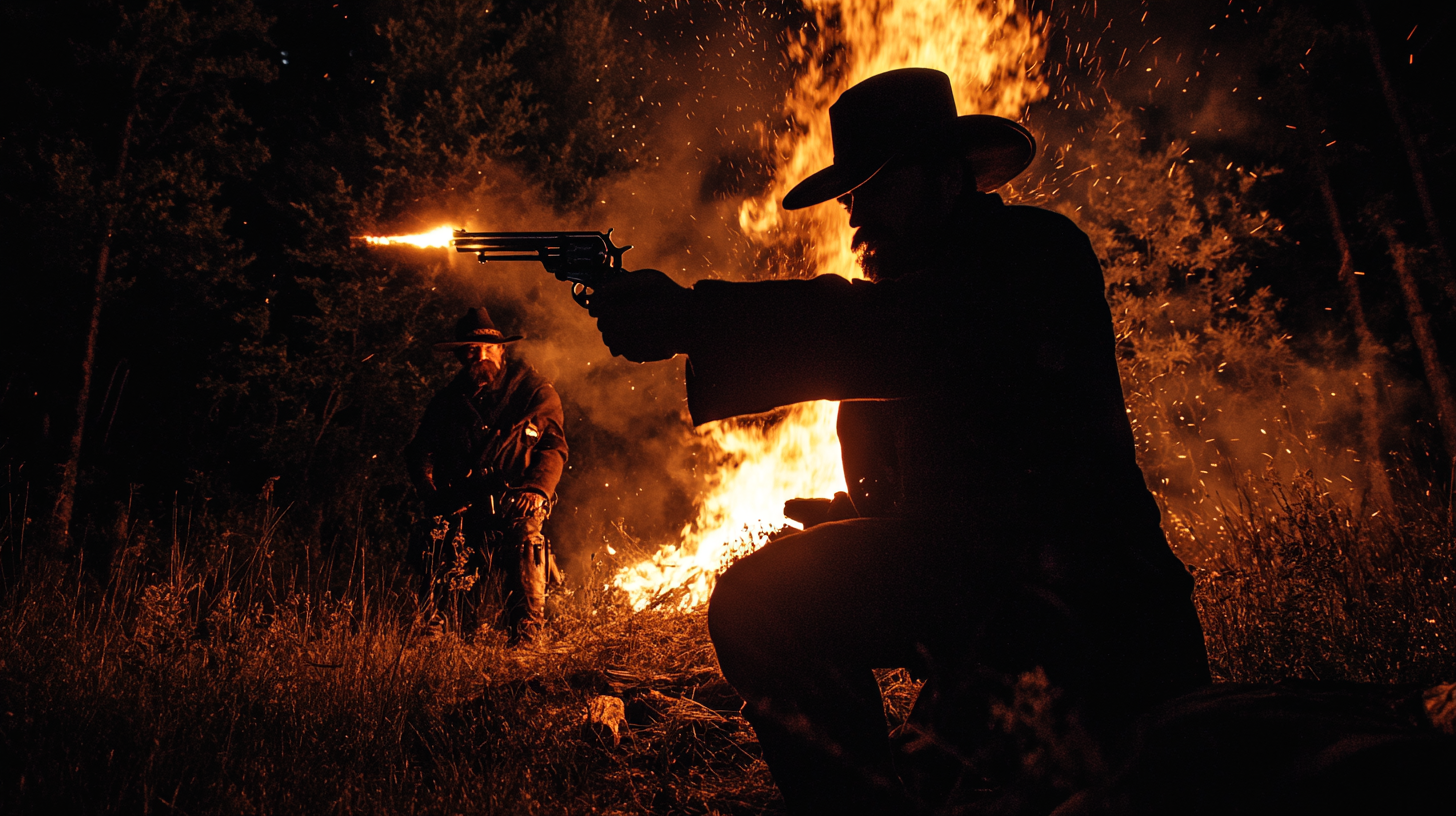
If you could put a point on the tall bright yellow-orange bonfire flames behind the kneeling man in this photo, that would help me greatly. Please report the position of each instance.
(992, 52)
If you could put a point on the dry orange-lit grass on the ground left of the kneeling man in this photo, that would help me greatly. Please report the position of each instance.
(167, 703)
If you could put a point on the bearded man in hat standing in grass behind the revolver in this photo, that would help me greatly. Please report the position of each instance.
(487, 460)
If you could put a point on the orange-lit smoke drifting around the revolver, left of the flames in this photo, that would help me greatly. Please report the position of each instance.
(637, 467)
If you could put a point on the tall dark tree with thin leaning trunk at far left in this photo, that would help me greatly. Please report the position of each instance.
(124, 139)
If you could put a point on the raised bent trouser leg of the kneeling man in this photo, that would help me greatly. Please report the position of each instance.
(799, 629)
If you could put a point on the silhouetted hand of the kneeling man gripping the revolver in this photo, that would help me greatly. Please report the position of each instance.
(644, 315)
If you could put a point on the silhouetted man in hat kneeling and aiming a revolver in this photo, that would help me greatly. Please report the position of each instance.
(1004, 522)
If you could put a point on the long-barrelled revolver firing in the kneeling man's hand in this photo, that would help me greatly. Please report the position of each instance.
(585, 259)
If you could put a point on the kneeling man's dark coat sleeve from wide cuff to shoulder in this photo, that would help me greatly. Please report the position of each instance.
(982, 318)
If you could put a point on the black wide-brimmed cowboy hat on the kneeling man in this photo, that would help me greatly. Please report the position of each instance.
(911, 109)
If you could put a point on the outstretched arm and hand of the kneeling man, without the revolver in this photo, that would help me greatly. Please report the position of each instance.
(756, 346)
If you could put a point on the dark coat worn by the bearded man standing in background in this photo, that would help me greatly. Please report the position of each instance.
(512, 435)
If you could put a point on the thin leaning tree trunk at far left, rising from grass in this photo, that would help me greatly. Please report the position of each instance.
(71, 468)
